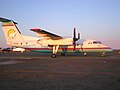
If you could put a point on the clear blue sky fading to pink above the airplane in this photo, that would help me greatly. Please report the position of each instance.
(94, 19)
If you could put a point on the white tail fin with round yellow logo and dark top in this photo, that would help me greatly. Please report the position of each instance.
(12, 34)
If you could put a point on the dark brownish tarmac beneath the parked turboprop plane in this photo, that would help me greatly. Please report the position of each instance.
(38, 71)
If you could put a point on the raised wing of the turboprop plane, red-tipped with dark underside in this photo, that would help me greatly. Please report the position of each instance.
(46, 34)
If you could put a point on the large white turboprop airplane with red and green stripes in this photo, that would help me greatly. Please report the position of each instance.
(49, 42)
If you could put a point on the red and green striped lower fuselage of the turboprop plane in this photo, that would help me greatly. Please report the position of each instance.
(69, 49)
